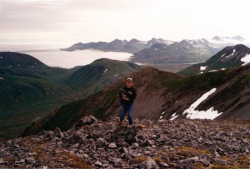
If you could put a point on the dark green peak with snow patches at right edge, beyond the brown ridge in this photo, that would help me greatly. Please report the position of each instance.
(229, 57)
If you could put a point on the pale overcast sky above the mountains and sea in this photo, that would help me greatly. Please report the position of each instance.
(65, 22)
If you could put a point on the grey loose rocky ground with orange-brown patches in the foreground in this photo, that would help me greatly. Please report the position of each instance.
(148, 144)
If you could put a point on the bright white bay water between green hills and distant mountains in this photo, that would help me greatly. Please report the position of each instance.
(65, 59)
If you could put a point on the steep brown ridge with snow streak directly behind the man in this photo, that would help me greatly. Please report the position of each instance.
(161, 95)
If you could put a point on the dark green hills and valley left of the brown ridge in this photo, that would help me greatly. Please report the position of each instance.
(31, 89)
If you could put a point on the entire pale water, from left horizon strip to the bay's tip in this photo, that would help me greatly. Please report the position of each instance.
(64, 59)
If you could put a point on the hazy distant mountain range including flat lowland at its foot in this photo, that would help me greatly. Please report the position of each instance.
(163, 54)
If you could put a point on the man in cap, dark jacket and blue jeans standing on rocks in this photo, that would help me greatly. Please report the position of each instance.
(127, 96)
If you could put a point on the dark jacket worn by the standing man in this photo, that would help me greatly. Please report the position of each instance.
(130, 94)
